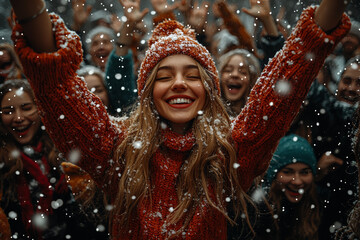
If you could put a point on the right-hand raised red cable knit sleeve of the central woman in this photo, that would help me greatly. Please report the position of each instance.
(277, 95)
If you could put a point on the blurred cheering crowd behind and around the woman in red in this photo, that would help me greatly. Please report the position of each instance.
(310, 190)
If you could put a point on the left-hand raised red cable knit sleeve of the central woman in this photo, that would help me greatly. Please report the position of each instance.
(76, 119)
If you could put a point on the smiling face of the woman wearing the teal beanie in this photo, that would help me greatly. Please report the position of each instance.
(295, 179)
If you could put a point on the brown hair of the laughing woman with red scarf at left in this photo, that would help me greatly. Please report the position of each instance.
(10, 158)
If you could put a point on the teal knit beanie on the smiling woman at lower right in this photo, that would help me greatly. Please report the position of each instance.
(291, 149)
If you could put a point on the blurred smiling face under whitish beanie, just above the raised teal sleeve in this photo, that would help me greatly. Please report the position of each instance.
(100, 50)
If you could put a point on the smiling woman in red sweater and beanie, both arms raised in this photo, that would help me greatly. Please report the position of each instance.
(167, 165)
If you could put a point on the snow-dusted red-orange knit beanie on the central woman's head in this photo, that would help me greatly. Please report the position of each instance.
(169, 38)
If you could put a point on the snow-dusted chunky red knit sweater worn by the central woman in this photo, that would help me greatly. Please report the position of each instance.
(76, 119)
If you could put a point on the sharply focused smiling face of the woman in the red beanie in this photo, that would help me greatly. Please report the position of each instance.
(178, 91)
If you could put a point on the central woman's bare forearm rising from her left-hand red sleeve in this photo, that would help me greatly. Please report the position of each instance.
(33, 17)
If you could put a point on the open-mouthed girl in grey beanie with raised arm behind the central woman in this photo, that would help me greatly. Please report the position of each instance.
(239, 69)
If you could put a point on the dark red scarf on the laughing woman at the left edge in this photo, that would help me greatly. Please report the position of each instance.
(24, 195)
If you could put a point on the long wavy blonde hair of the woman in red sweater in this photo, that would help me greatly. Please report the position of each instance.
(210, 160)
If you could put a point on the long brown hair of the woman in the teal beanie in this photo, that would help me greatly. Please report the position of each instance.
(309, 216)
